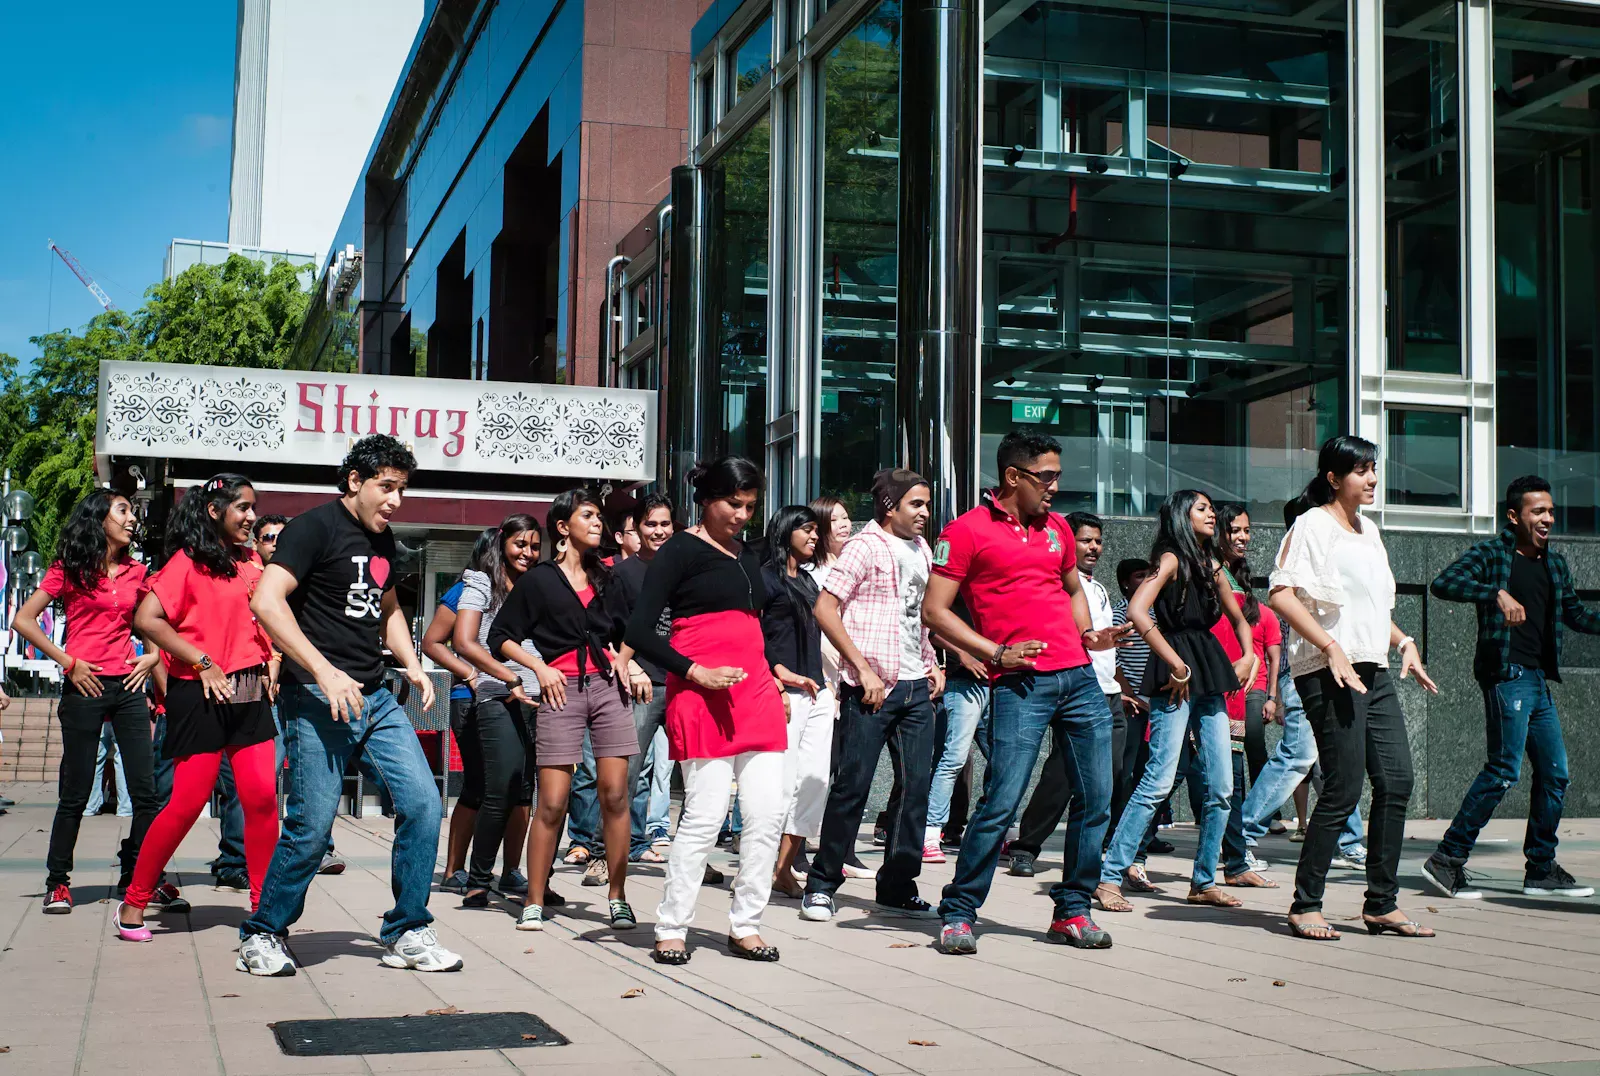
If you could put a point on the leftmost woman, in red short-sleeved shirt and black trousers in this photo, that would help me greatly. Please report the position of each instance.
(100, 585)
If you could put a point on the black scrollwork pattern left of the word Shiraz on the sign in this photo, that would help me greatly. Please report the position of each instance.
(180, 411)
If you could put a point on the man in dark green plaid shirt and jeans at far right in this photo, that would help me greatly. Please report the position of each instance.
(1526, 600)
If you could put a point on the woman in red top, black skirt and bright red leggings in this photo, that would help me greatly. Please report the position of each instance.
(217, 699)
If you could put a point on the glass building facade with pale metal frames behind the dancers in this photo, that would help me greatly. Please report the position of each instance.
(1214, 233)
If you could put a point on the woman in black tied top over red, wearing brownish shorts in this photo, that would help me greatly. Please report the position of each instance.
(572, 612)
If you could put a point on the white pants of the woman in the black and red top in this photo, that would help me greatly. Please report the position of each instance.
(708, 787)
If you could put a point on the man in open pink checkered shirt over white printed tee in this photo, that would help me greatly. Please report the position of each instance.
(871, 611)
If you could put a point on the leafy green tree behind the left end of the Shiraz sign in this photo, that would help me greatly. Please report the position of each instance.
(236, 315)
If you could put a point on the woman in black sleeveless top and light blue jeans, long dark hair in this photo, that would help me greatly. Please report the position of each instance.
(1186, 680)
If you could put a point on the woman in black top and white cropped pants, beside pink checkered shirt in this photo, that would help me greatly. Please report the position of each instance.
(794, 648)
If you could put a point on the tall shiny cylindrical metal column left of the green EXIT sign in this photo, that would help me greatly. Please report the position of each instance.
(940, 243)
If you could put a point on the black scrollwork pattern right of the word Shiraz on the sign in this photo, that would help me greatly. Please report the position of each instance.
(580, 436)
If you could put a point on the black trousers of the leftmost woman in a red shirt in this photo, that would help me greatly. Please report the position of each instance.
(81, 728)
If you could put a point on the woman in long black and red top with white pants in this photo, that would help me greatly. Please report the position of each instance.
(726, 717)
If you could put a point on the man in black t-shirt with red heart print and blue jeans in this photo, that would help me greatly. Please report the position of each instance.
(329, 603)
